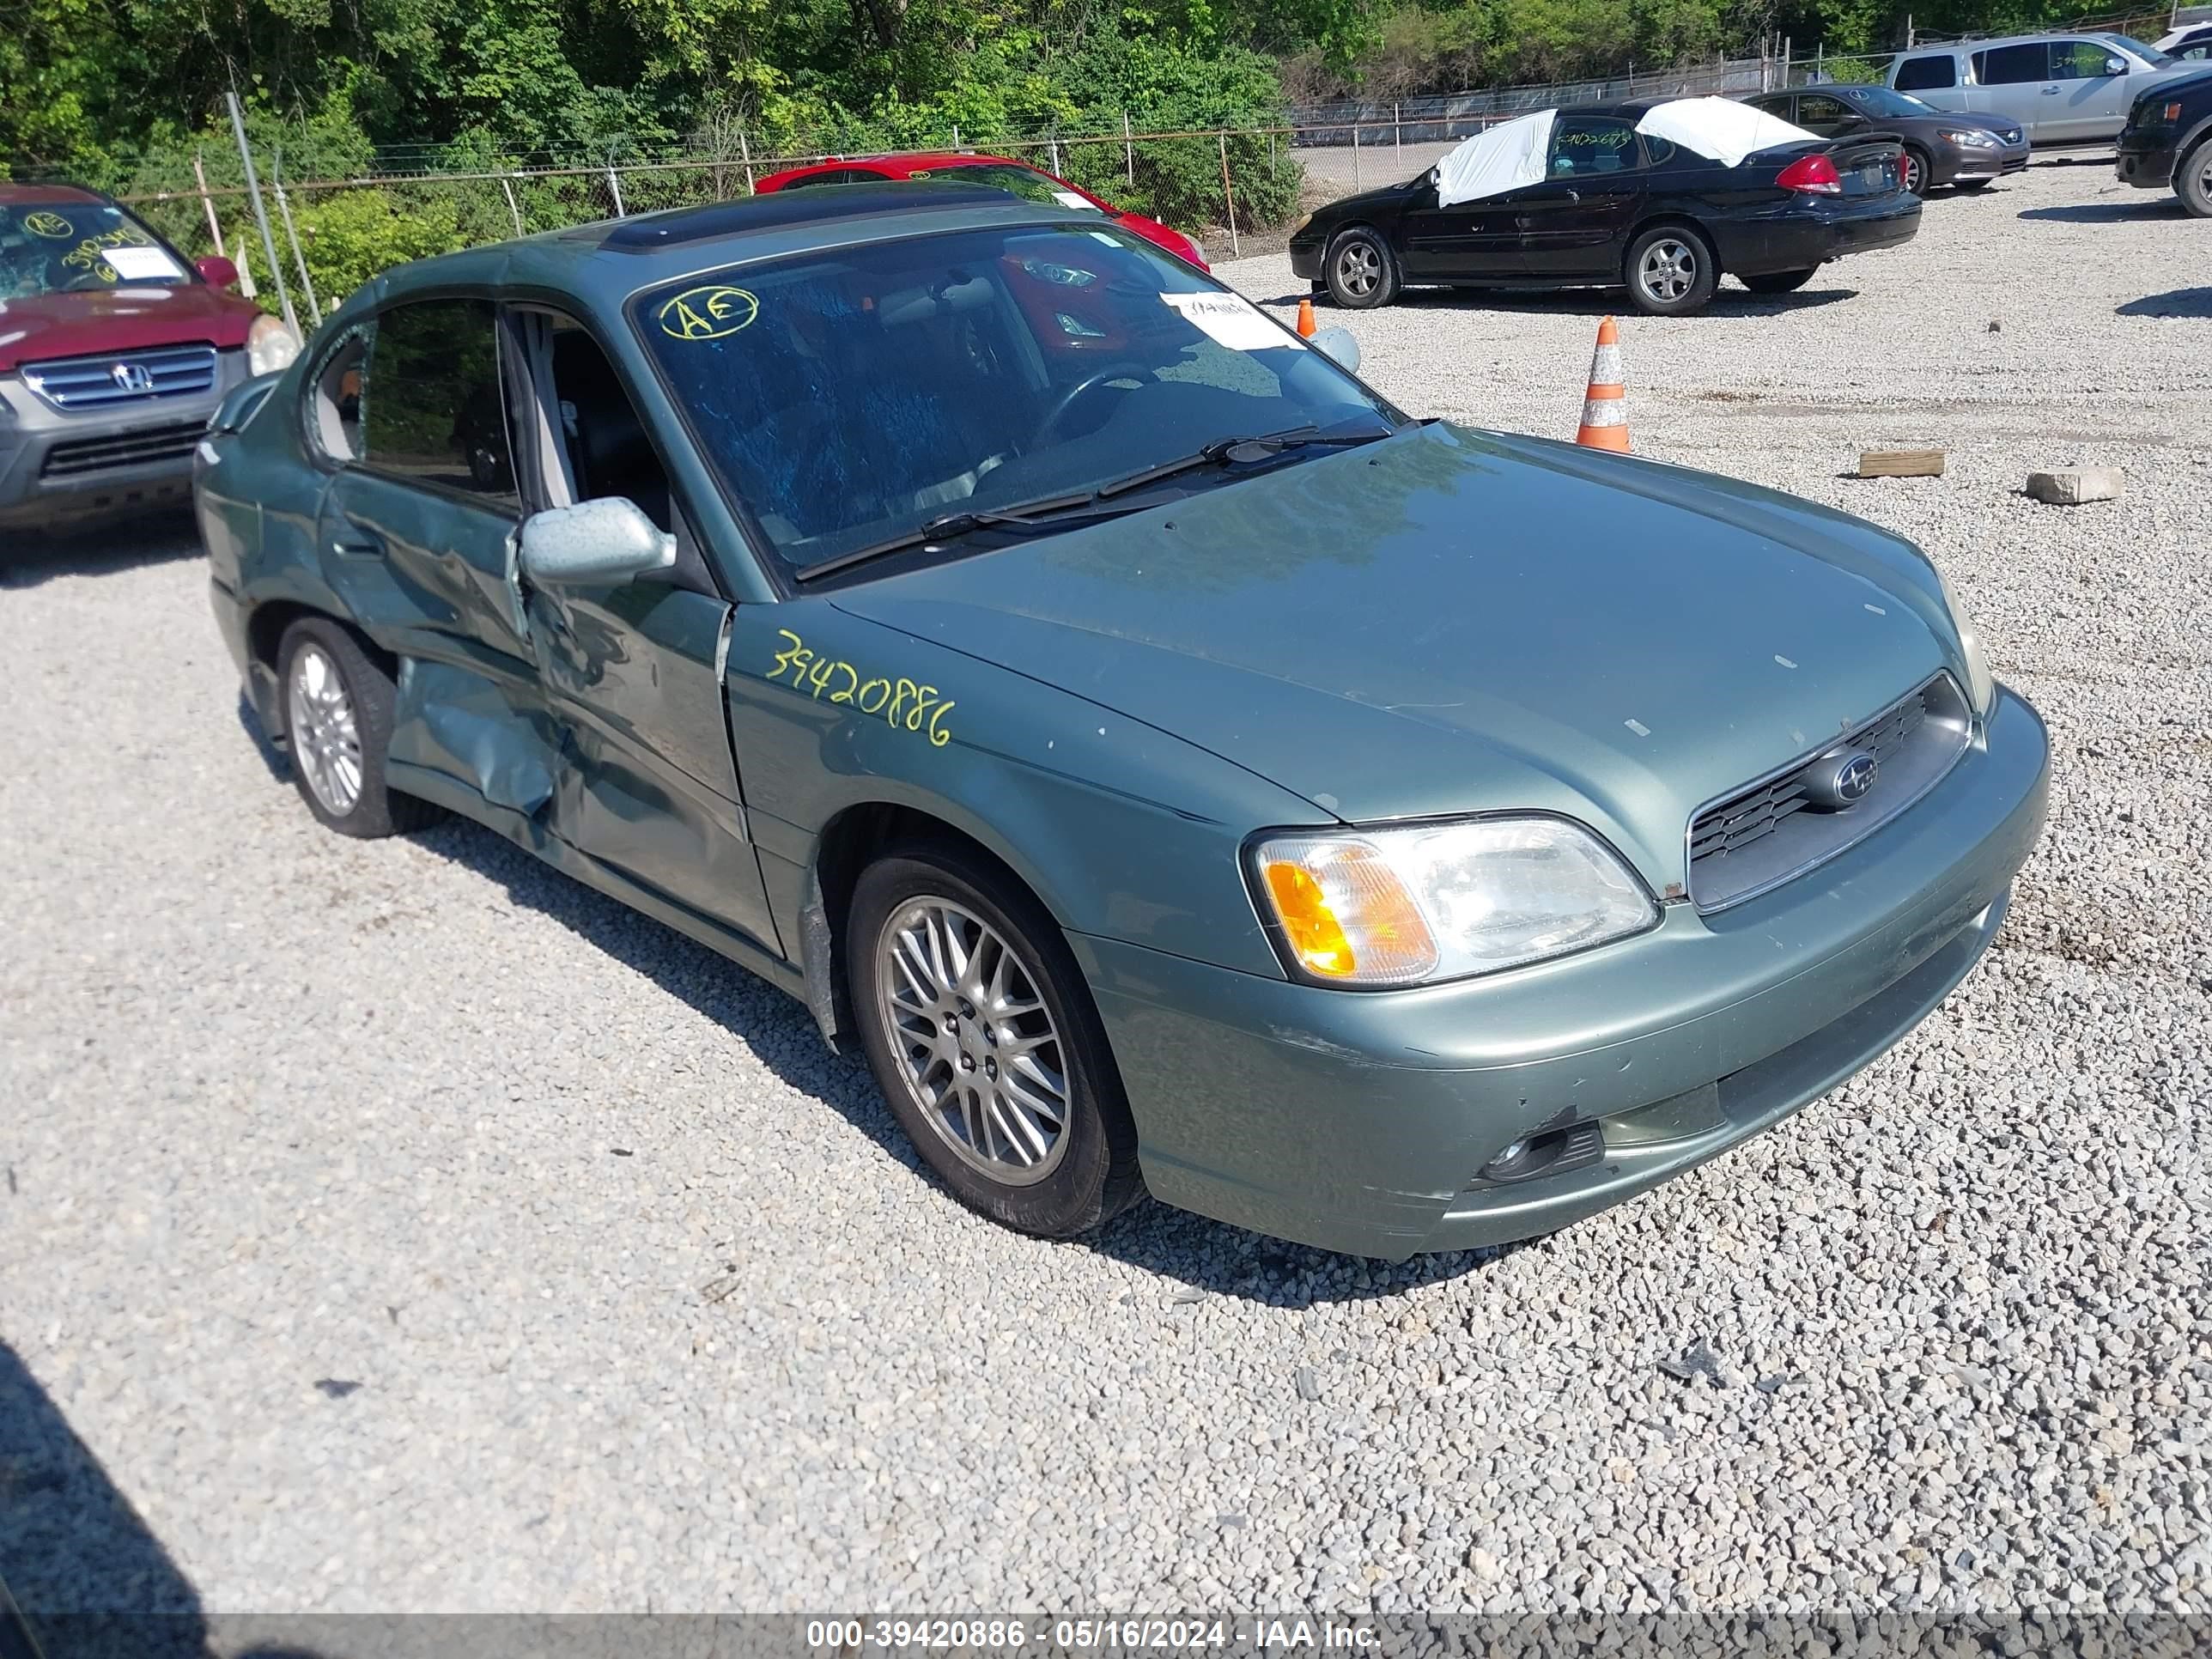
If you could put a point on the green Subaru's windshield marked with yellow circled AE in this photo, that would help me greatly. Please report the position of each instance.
(857, 395)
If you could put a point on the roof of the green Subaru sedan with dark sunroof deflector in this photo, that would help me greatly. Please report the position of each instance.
(609, 260)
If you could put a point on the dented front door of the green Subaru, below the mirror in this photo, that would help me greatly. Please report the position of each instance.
(647, 782)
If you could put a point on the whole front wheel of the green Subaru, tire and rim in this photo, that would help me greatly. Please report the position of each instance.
(985, 1043)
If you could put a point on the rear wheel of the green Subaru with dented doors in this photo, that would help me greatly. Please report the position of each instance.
(337, 711)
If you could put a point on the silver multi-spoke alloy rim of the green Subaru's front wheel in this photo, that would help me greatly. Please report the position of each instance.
(972, 1039)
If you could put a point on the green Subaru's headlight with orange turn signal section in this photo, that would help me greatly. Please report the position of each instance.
(1437, 901)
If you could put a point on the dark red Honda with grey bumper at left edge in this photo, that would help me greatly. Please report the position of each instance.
(114, 353)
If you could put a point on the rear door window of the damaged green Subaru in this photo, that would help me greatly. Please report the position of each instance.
(430, 401)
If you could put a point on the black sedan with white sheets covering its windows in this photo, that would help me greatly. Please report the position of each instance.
(1618, 207)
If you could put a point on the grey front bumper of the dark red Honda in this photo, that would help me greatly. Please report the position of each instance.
(114, 459)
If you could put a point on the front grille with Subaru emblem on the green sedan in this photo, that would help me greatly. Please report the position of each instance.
(1773, 831)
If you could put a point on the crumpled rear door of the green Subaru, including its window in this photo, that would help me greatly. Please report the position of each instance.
(417, 536)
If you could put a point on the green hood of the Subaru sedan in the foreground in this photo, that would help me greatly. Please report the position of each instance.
(1457, 623)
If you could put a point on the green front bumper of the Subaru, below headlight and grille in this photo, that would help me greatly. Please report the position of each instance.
(1359, 1123)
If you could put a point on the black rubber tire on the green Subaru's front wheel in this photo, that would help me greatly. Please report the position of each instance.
(1092, 1169)
